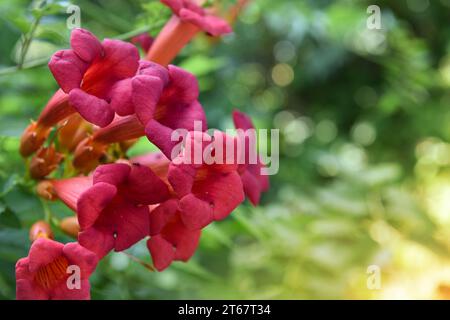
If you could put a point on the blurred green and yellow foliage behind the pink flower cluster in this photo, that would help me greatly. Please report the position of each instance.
(364, 152)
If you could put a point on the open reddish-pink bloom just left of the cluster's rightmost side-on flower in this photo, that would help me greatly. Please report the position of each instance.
(210, 189)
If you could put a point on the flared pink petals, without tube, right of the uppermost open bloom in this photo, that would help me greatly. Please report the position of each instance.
(174, 107)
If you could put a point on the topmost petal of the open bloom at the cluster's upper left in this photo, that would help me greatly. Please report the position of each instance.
(85, 44)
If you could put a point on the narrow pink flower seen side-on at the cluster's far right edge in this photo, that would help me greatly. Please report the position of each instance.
(253, 181)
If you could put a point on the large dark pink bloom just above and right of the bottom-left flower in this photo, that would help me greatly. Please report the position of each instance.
(114, 212)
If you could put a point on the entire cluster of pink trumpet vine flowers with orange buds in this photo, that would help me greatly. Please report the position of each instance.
(108, 98)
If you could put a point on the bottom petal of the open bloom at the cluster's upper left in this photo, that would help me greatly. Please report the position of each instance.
(95, 110)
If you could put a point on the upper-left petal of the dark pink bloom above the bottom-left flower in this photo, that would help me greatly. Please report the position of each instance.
(92, 202)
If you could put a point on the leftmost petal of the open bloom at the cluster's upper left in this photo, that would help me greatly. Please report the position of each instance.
(68, 69)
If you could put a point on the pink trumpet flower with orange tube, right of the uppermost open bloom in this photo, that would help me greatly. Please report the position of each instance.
(162, 99)
